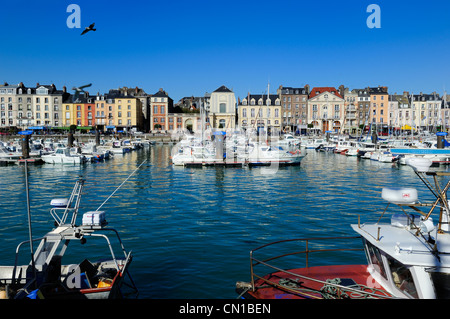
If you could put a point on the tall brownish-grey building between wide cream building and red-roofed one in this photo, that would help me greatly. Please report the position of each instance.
(294, 108)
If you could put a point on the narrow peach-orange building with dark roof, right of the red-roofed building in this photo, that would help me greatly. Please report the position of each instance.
(379, 99)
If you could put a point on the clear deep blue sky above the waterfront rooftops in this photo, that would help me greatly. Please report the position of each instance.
(193, 47)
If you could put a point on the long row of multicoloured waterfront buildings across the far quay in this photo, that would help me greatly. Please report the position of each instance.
(291, 109)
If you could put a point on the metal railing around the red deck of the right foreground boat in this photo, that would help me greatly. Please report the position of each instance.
(306, 252)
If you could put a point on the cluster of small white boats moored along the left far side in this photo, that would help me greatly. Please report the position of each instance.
(61, 151)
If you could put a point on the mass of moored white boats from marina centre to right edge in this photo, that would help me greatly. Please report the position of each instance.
(241, 150)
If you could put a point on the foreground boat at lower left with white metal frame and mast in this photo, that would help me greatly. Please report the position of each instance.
(47, 277)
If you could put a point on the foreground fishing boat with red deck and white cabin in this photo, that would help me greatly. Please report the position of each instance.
(408, 255)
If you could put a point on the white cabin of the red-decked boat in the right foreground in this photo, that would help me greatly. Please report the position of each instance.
(410, 256)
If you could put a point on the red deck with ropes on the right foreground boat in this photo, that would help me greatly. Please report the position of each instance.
(354, 281)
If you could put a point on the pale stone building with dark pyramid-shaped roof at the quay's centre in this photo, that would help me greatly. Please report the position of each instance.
(222, 112)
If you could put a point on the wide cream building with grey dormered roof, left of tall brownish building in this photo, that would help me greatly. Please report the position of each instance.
(262, 113)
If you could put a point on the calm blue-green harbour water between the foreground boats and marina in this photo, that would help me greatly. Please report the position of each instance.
(191, 230)
